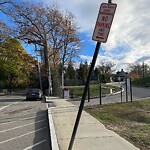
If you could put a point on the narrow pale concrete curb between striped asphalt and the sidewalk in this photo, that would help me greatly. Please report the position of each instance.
(54, 142)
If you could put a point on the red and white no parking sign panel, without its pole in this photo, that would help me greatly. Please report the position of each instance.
(104, 21)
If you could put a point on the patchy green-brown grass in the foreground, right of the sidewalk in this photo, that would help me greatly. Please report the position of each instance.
(129, 120)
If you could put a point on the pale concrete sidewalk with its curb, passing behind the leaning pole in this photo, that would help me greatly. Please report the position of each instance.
(91, 134)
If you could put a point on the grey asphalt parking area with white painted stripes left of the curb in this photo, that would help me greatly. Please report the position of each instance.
(23, 124)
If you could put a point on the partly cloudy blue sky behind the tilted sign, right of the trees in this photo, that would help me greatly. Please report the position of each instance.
(129, 37)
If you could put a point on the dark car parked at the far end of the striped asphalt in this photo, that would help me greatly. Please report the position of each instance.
(34, 94)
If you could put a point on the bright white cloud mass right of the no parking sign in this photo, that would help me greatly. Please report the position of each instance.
(131, 28)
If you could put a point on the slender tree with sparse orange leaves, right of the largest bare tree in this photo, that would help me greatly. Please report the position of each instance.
(70, 42)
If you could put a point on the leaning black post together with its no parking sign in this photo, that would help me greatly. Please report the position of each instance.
(101, 31)
